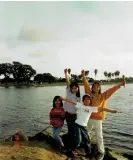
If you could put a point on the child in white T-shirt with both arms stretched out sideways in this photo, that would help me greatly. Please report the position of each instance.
(80, 126)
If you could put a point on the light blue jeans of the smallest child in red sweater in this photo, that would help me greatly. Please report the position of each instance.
(56, 135)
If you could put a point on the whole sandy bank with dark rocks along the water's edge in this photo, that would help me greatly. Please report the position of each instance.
(42, 146)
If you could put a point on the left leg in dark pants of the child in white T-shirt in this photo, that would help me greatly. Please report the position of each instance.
(76, 137)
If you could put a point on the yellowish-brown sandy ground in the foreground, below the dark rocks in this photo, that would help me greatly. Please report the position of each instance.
(37, 151)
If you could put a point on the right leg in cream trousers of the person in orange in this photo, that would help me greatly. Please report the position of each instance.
(99, 135)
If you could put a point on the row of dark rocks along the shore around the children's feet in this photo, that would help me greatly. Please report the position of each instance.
(46, 136)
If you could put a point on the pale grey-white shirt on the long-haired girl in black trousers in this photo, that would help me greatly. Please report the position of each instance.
(69, 107)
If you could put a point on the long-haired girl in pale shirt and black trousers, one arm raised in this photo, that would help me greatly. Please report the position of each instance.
(73, 92)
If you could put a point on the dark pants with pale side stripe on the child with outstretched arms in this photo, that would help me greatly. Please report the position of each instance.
(81, 134)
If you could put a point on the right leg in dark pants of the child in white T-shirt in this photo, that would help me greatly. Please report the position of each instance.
(86, 139)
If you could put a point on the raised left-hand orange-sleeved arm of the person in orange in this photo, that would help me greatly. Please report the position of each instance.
(86, 83)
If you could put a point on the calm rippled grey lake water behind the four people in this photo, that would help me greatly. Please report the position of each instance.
(27, 109)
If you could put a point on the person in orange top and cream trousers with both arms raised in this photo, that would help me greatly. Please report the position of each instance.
(100, 100)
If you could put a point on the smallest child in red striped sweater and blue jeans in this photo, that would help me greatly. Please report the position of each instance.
(57, 116)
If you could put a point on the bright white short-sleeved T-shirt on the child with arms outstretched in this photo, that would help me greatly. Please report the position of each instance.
(84, 113)
